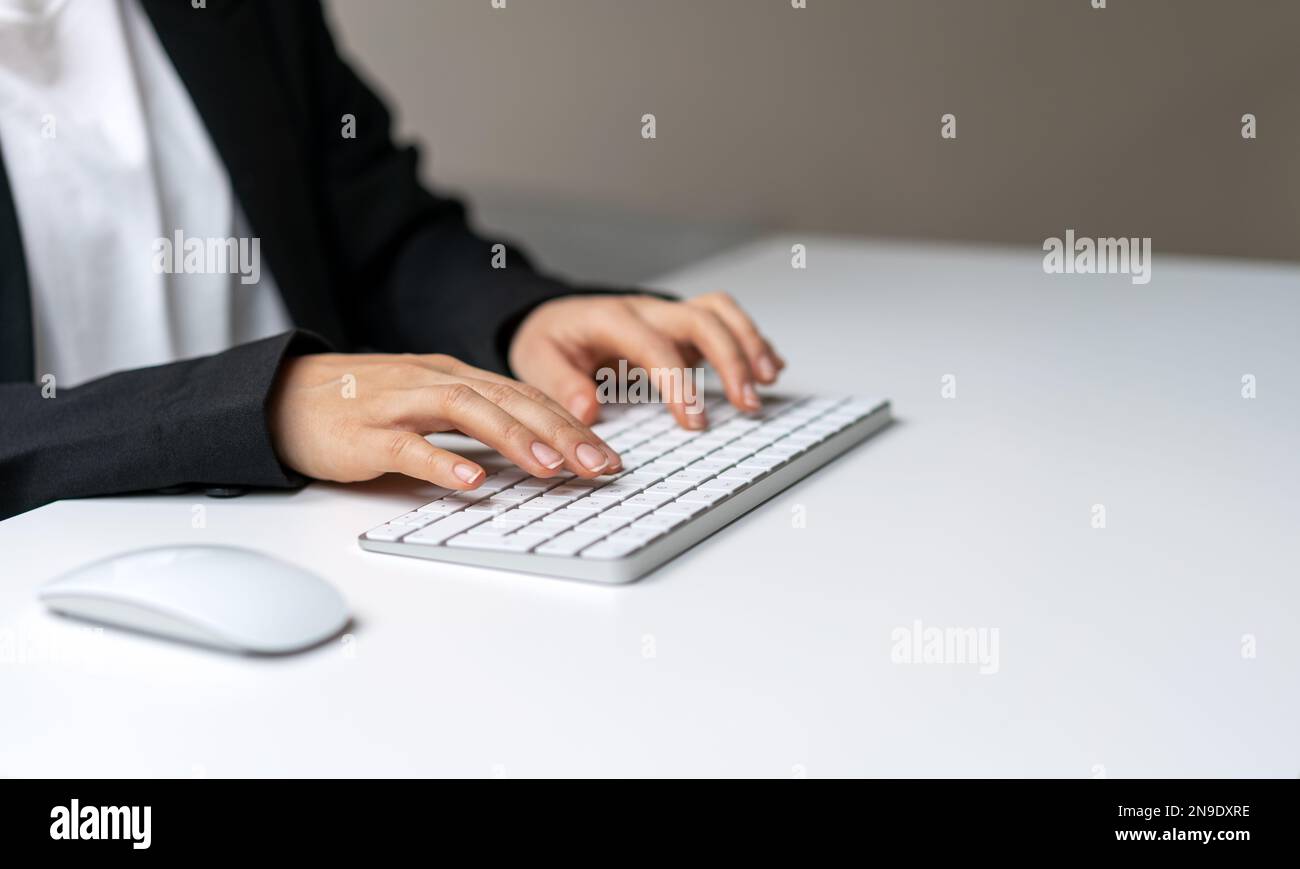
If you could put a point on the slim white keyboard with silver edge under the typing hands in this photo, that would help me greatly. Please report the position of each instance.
(677, 488)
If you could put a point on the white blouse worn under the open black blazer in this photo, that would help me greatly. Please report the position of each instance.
(111, 167)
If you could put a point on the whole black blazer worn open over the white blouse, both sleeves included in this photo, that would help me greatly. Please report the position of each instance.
(363, 256)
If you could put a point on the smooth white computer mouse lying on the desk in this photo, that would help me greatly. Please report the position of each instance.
(220, 596)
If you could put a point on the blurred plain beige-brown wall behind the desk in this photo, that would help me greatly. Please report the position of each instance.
(1124, 122)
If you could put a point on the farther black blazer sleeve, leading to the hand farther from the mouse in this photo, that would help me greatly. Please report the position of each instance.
(421, 279)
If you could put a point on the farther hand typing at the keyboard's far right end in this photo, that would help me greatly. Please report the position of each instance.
(562, 344)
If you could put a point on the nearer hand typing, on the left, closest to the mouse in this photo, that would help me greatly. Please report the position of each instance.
(348, 418)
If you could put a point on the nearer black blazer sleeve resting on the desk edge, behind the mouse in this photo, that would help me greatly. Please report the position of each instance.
(201, 421)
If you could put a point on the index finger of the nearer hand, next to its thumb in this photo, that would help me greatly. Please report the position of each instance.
(461, 407)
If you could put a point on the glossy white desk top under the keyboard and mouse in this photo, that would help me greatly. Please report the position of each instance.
(1120, 648)
